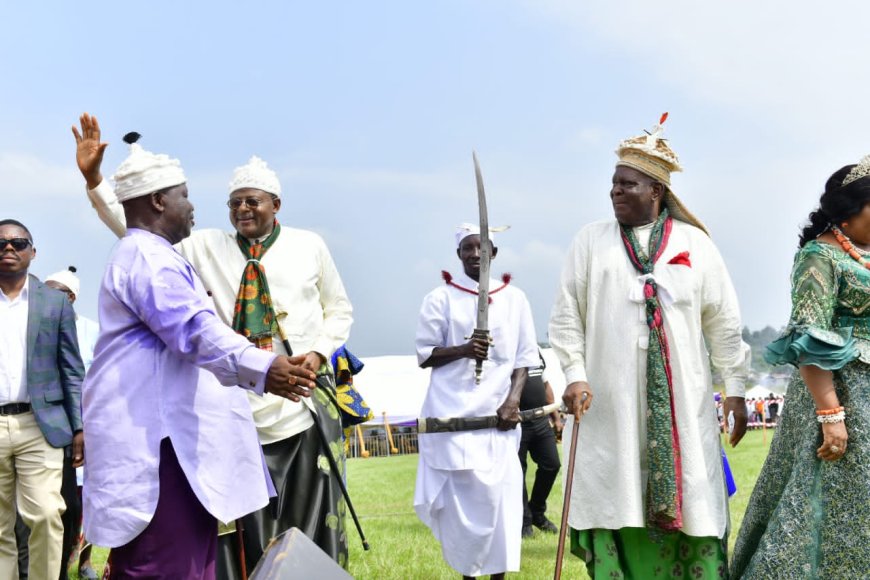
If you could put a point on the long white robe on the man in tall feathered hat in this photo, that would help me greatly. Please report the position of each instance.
(598, 330)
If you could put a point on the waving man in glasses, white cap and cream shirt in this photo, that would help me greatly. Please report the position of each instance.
(279, 287)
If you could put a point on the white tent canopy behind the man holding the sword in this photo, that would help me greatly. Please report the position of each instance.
(394, 385)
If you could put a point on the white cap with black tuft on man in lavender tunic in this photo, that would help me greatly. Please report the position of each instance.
(144, 172)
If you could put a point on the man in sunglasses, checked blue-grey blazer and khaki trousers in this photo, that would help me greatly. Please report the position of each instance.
(40, 411)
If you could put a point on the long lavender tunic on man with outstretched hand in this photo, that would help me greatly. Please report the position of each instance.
(166, 366)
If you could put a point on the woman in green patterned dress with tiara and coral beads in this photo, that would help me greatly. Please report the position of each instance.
(809, 514)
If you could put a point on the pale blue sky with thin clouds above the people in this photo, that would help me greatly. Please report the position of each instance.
(369, 113)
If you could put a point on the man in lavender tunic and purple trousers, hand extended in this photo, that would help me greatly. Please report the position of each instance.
(172, 449)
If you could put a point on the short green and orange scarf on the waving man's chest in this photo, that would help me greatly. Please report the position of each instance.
(254, 315)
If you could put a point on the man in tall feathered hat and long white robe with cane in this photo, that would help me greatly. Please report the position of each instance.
(648, 490)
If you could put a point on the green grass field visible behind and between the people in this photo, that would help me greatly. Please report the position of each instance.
(382, 490)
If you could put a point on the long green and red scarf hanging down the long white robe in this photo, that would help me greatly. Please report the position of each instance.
(664, 490)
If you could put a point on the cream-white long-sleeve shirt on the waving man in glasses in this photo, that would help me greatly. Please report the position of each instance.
(309, 298)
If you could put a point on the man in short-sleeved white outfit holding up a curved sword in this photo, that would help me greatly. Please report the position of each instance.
(469, 484)
